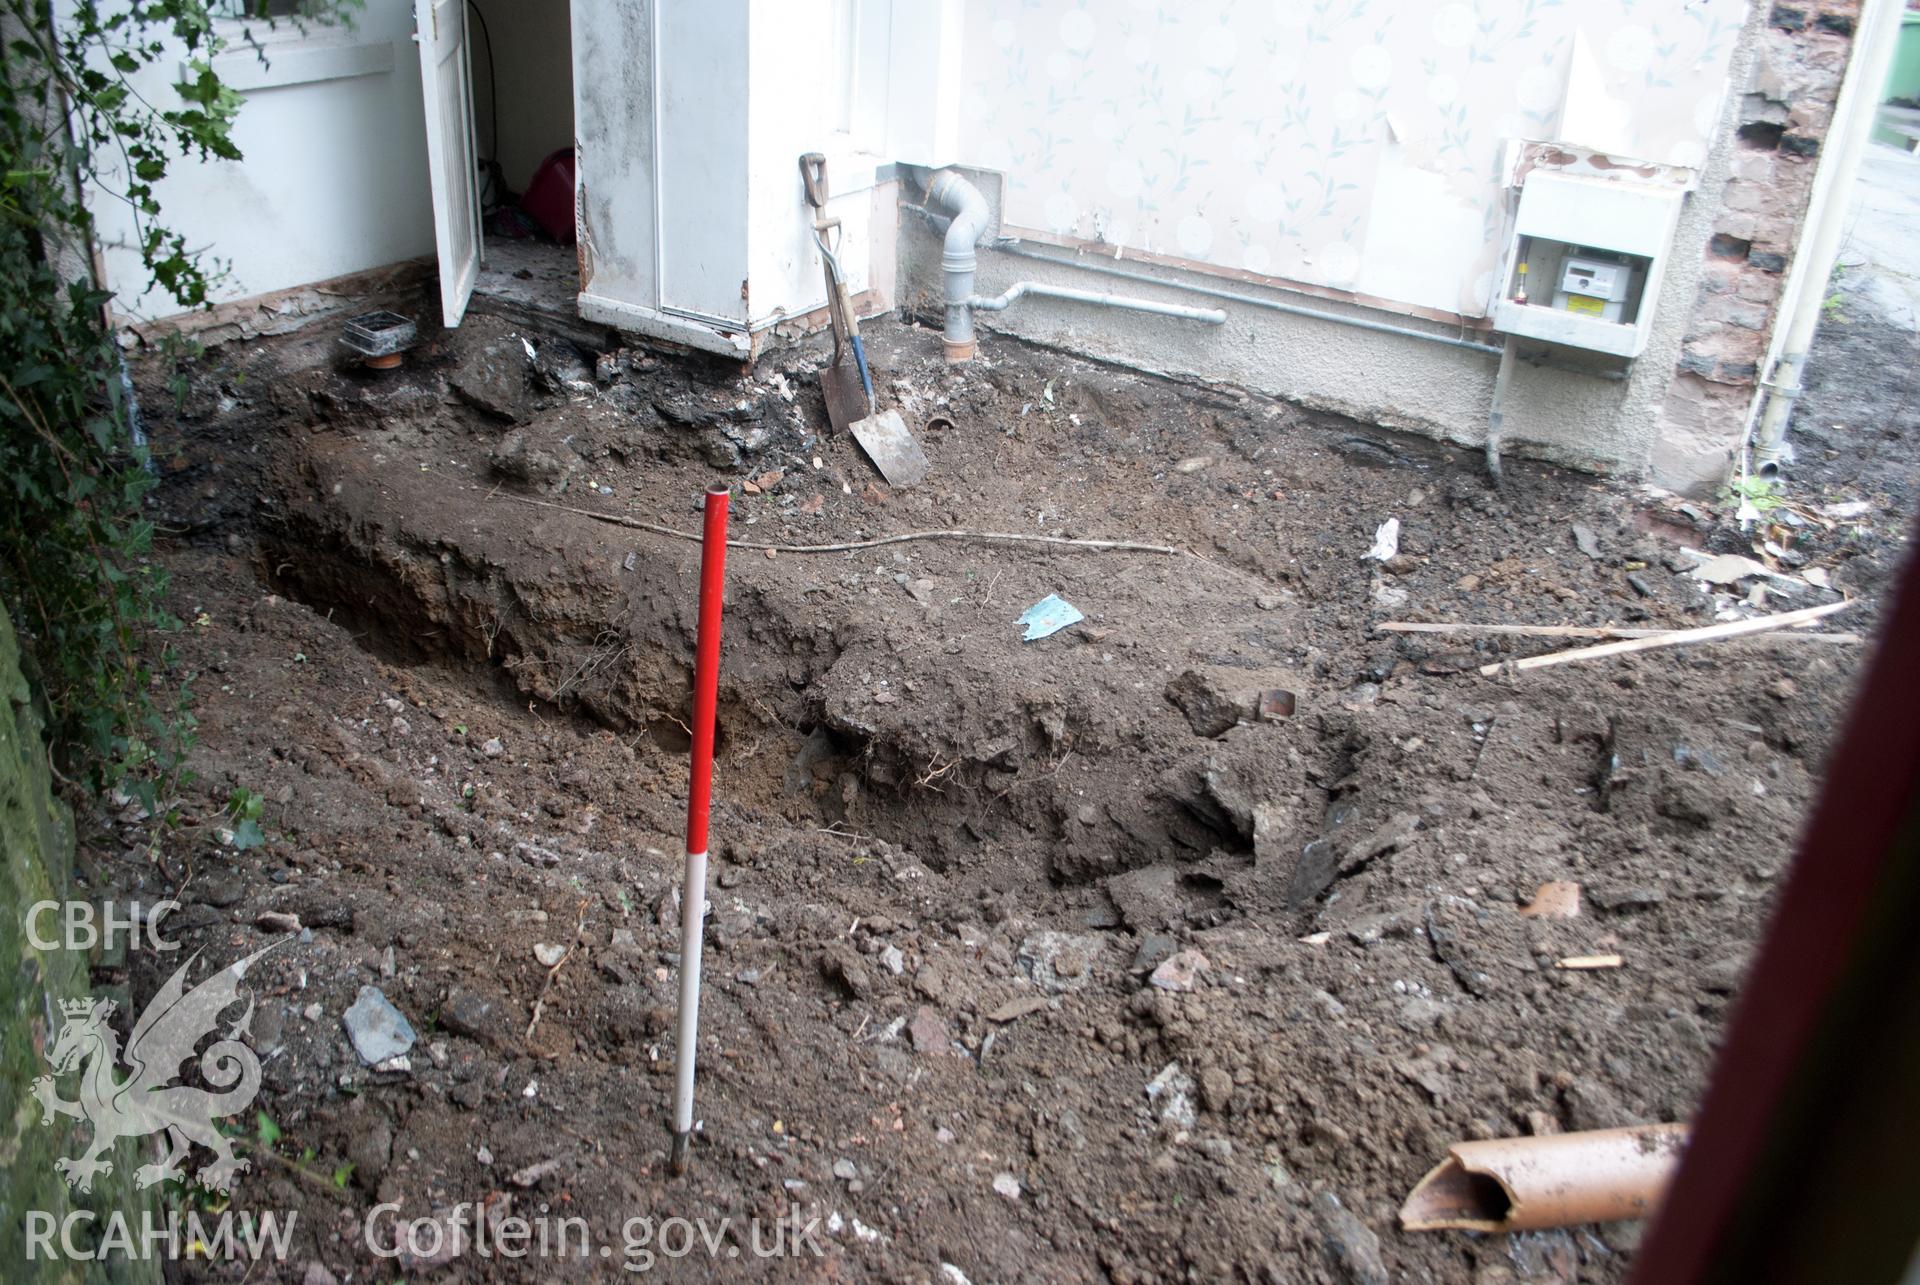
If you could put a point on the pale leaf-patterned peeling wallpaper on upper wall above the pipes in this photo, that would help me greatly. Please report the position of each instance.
(1351, 145)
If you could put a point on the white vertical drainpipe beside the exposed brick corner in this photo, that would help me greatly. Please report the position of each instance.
(1827, 224)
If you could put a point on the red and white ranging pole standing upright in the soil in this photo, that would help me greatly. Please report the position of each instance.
(700, 794)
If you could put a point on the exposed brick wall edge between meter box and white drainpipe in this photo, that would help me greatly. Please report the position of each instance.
(1783, 116)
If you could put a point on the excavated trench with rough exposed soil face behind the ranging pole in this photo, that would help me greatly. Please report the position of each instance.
(978, 764)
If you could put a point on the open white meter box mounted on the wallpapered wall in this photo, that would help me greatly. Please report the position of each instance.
(1604, 247)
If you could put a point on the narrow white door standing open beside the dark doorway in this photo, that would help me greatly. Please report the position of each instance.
(441, 32)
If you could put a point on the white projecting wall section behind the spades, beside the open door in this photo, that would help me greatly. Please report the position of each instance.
(692, 118)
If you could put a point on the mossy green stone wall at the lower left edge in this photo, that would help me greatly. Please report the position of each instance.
(37, 850)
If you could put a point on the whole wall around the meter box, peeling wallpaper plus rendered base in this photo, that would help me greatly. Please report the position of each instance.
(1552, 412)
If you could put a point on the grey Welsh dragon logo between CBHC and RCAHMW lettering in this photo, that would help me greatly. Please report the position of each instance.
(147, 1102)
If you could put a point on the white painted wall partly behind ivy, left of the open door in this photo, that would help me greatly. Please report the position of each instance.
(333, 178)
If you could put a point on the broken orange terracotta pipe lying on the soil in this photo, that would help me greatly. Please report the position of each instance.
(1524, 1184)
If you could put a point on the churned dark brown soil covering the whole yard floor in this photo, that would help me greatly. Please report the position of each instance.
(946, 860)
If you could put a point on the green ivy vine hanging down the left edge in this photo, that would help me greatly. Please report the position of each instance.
(76, 545)
